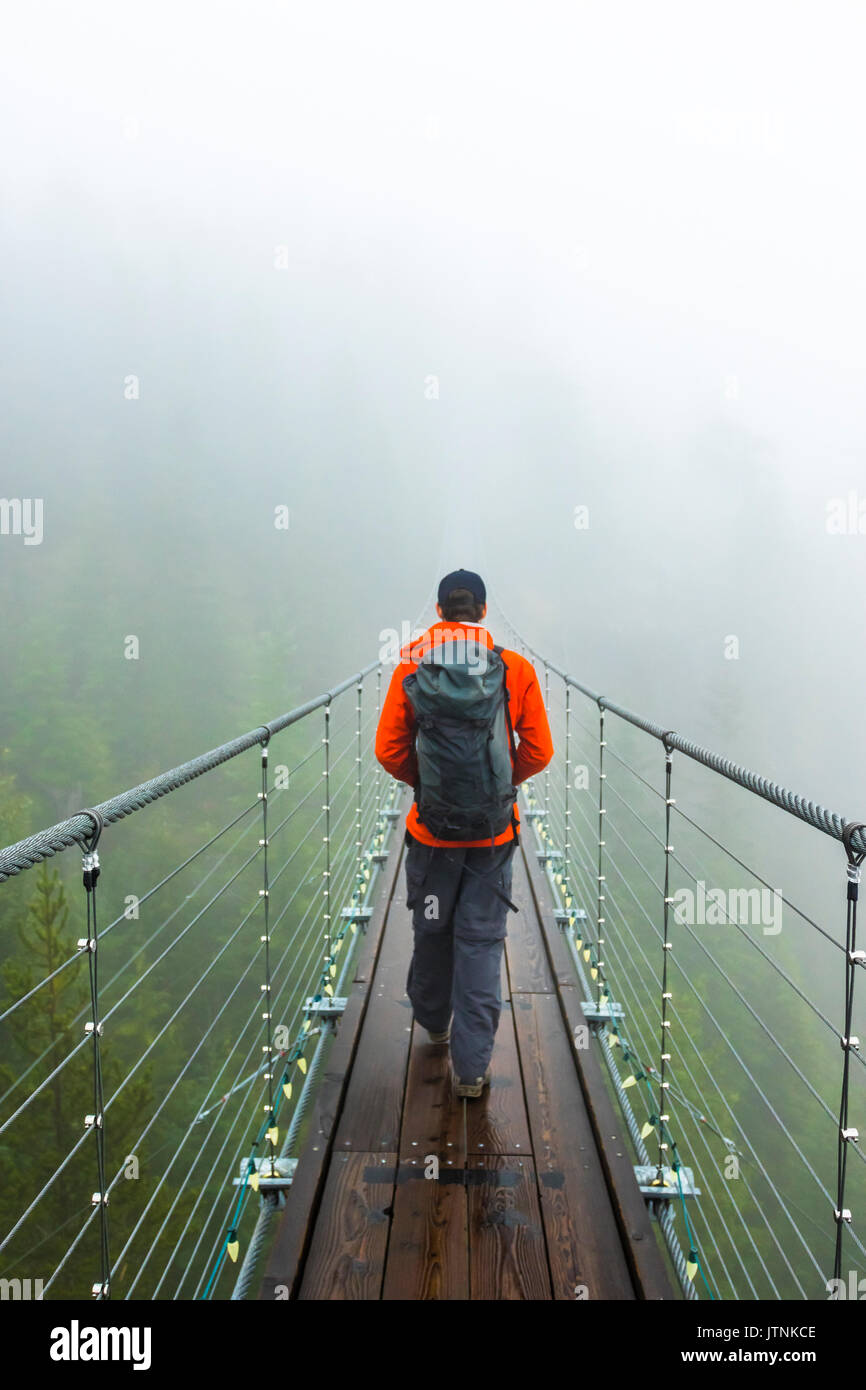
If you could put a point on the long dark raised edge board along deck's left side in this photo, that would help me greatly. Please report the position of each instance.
(294, 1234)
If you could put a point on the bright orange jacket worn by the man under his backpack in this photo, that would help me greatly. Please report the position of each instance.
(397, 729)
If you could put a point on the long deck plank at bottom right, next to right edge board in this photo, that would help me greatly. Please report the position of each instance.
(583, 1236)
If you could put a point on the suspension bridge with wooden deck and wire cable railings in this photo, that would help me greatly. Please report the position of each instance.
(213, 1088)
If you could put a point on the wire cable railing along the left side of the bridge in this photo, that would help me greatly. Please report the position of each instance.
(152, 1029)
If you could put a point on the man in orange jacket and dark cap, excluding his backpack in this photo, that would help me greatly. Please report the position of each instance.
(459, 889)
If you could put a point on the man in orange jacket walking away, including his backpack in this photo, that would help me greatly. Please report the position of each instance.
(464, 723)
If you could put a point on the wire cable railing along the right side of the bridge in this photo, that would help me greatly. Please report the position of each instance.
(685, 1000)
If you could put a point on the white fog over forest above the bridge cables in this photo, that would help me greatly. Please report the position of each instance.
(433, 279)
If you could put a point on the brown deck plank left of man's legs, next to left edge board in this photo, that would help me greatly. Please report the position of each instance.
(372, 1113)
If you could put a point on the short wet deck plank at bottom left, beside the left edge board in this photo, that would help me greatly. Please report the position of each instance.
(347, 1257)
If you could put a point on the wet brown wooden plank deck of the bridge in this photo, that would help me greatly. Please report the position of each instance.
(534, 1202)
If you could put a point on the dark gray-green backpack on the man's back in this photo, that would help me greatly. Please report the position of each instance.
(465, 742)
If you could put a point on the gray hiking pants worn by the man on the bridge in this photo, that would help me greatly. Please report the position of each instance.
(459, 928)
